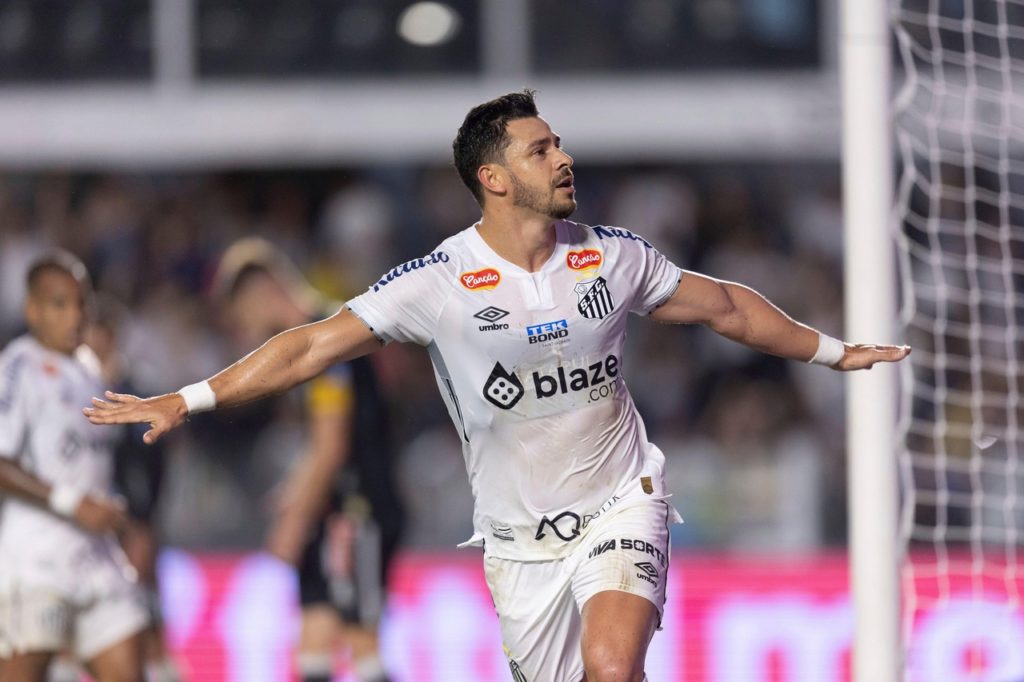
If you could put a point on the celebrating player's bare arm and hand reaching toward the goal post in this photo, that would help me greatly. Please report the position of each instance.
(743, 315)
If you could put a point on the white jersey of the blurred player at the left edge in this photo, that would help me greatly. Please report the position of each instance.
(42, 394)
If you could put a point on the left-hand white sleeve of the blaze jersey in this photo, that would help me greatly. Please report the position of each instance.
(406, 304)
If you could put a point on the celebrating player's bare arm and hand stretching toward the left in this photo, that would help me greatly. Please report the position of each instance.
(284, 362)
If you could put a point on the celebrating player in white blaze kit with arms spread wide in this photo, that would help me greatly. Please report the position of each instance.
(524, 315)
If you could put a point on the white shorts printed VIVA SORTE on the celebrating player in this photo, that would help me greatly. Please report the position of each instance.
(539, 604)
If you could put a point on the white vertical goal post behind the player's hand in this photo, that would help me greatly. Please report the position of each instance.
(871, 317)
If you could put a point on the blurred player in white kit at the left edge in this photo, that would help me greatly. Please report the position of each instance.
(65, 583)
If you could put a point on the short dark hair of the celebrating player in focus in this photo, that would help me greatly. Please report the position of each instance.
(484, 137)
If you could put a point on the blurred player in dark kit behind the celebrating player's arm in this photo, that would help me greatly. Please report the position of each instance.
(339, 517)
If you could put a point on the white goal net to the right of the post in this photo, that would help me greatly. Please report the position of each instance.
(960, 230)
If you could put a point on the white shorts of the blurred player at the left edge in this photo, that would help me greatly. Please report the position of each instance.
(102, 608)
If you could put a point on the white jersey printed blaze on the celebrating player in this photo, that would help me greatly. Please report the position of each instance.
(531, 368)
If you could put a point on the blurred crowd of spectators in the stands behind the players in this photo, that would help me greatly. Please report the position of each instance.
(754, 445)
